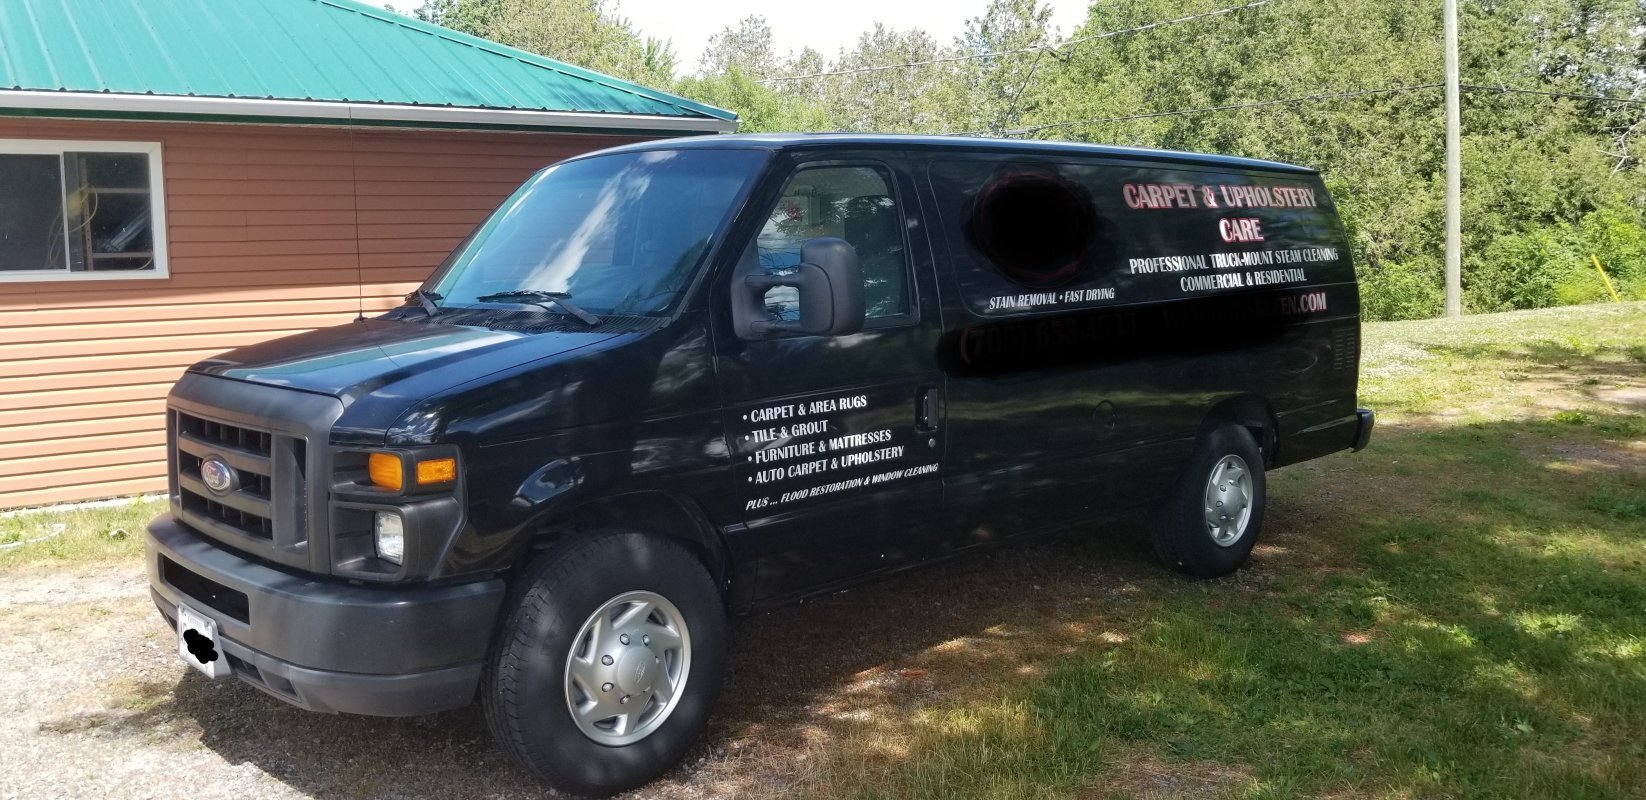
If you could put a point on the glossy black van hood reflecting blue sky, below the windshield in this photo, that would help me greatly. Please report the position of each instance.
(412, 360)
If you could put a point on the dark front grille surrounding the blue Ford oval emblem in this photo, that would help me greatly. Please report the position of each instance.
(269, 501)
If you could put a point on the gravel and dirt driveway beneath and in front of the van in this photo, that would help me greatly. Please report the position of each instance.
(95, 702)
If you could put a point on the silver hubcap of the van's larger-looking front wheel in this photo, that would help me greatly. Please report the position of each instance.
(628, 667)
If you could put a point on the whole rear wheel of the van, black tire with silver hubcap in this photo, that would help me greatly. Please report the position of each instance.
(1216, 513)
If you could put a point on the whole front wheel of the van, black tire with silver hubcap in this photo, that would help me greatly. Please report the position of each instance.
(608, 663)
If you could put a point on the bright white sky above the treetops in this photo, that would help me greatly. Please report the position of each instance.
(825, 27)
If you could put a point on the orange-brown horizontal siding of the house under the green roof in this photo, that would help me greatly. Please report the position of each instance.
(272, 231)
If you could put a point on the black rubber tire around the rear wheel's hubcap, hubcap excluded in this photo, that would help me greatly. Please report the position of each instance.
(1183, 536)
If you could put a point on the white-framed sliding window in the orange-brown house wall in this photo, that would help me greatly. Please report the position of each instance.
(81, 212)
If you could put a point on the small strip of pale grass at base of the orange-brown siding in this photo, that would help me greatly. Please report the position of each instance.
(73, 536)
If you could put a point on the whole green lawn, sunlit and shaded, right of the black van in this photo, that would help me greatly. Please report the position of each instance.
(1459, 612)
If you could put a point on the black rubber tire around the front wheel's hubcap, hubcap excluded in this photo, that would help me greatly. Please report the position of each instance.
(526, 684)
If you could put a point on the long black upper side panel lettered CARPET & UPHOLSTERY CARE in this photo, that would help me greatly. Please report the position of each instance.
(1051, 236)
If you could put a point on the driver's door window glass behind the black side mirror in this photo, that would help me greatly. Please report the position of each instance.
(853, 203)
